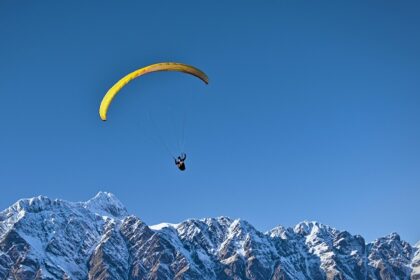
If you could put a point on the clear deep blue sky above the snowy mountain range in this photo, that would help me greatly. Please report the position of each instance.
(312, 111)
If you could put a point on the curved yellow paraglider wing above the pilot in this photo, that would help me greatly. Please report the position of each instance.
(165, 66)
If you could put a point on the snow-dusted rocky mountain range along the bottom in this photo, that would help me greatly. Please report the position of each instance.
(42, 238)
